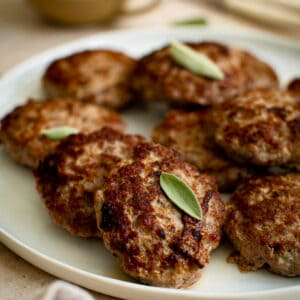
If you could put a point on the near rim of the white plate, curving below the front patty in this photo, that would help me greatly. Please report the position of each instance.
(26, 251)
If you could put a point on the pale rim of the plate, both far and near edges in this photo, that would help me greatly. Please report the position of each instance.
(26, 251)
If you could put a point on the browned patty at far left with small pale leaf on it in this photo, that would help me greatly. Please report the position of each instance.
(21, 129)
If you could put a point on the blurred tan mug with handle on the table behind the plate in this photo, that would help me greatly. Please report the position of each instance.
(78, 12)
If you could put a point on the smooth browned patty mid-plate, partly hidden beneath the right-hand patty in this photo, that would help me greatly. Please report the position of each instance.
(188, 132)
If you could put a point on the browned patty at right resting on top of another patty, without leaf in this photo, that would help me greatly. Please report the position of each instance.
(260, 127)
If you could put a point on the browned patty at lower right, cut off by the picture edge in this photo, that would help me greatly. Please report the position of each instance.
(263, 224)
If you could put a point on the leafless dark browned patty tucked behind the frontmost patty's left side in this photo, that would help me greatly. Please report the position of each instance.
(67, 179)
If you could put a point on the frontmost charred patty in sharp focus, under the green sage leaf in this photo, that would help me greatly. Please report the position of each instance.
(157, 243)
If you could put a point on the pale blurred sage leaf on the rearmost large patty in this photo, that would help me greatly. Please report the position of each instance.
(195, 61)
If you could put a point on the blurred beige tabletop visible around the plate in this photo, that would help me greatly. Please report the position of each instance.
(24, 34)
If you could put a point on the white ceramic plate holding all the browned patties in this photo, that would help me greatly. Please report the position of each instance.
(27, 229)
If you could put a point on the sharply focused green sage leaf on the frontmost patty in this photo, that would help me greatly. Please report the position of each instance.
(181, 195)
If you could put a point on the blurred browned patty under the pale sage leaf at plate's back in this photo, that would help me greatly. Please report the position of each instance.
(158, 77)
